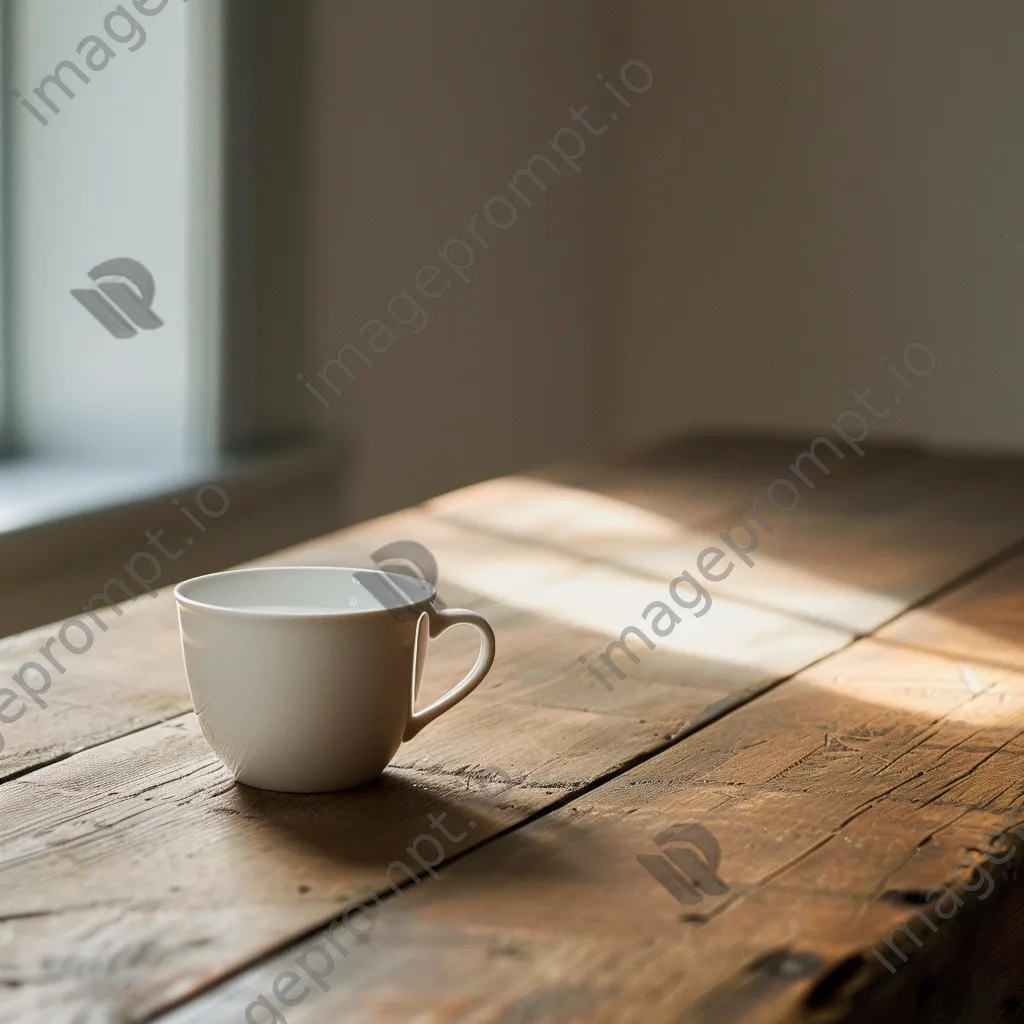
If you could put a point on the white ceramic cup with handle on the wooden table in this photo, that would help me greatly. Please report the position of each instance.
(305, 679)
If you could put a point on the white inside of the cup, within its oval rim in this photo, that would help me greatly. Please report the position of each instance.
(312, 590)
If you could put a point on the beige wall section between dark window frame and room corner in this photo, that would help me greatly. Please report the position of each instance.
(422, 114)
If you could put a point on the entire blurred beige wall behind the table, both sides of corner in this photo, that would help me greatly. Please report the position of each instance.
(805, 189)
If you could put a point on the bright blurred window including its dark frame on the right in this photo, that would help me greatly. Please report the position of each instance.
(152, 155)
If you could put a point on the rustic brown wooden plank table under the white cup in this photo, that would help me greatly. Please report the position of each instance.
(845, 724)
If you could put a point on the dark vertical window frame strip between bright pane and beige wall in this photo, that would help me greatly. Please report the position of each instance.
(267, 292)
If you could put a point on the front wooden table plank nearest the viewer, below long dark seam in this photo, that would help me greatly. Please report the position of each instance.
(839, 801)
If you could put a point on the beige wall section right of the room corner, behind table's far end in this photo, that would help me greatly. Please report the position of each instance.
(810, 187)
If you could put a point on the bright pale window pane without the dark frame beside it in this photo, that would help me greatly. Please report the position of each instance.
(115, 195)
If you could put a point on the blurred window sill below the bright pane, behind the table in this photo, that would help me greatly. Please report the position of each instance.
(67, 529)
